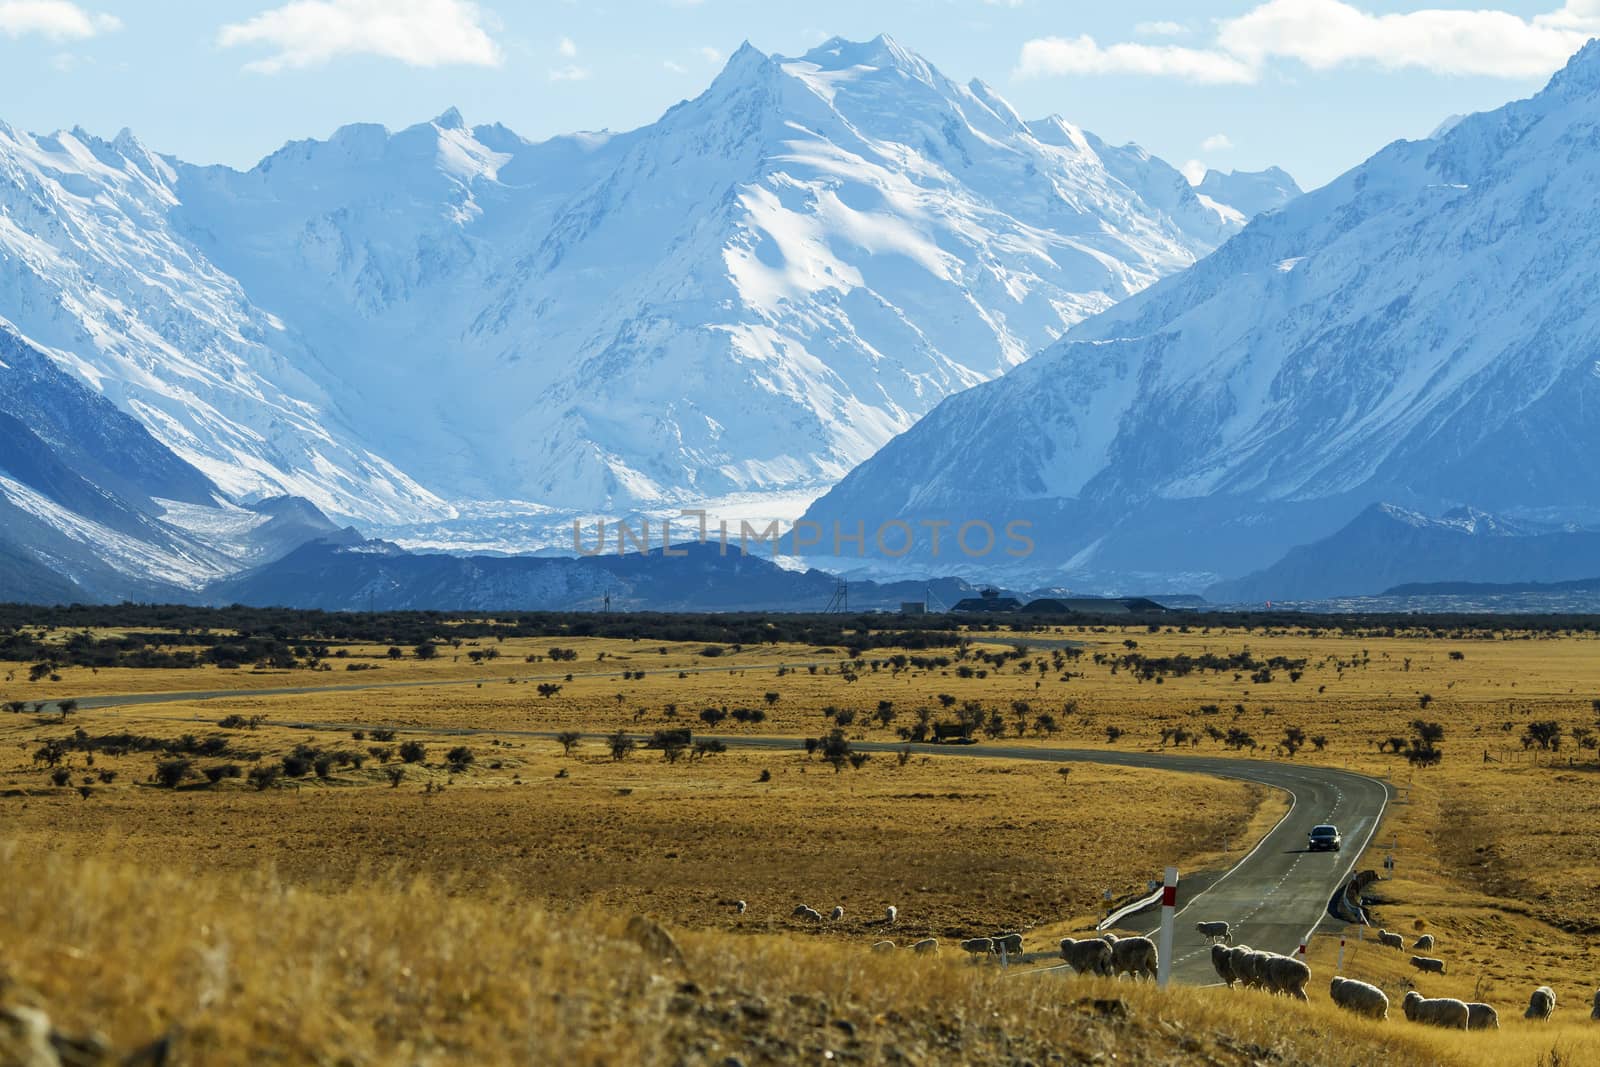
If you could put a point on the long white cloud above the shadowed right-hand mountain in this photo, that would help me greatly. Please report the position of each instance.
(1327, 34)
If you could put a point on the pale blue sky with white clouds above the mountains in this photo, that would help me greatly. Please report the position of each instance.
(1313, 86)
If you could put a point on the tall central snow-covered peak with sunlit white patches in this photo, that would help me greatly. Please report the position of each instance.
(748, 297)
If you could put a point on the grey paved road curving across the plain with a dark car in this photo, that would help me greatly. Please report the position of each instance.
(1273, 898)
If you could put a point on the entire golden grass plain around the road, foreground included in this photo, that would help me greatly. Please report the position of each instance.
(1498, 860)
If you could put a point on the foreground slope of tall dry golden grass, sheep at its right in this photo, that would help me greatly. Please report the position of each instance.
(246, 969)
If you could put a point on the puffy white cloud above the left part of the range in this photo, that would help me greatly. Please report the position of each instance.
(417, 33)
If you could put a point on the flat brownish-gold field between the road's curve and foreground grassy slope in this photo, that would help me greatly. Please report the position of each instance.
(956, 845)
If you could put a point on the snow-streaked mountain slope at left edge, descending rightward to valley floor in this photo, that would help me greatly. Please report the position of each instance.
(94, 271)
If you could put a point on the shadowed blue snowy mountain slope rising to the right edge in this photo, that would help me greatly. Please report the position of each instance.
(1423, 332)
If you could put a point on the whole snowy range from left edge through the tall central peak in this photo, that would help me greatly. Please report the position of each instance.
(455, 332)
